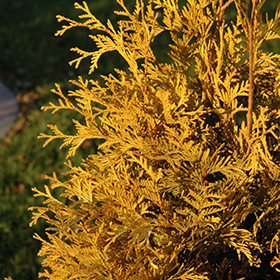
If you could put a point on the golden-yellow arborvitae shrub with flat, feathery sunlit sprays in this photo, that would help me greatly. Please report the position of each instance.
(183, 186)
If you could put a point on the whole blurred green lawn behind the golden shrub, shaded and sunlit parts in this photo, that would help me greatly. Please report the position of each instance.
(32, 60)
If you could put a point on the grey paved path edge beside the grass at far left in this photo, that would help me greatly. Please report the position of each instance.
(8, 109)
